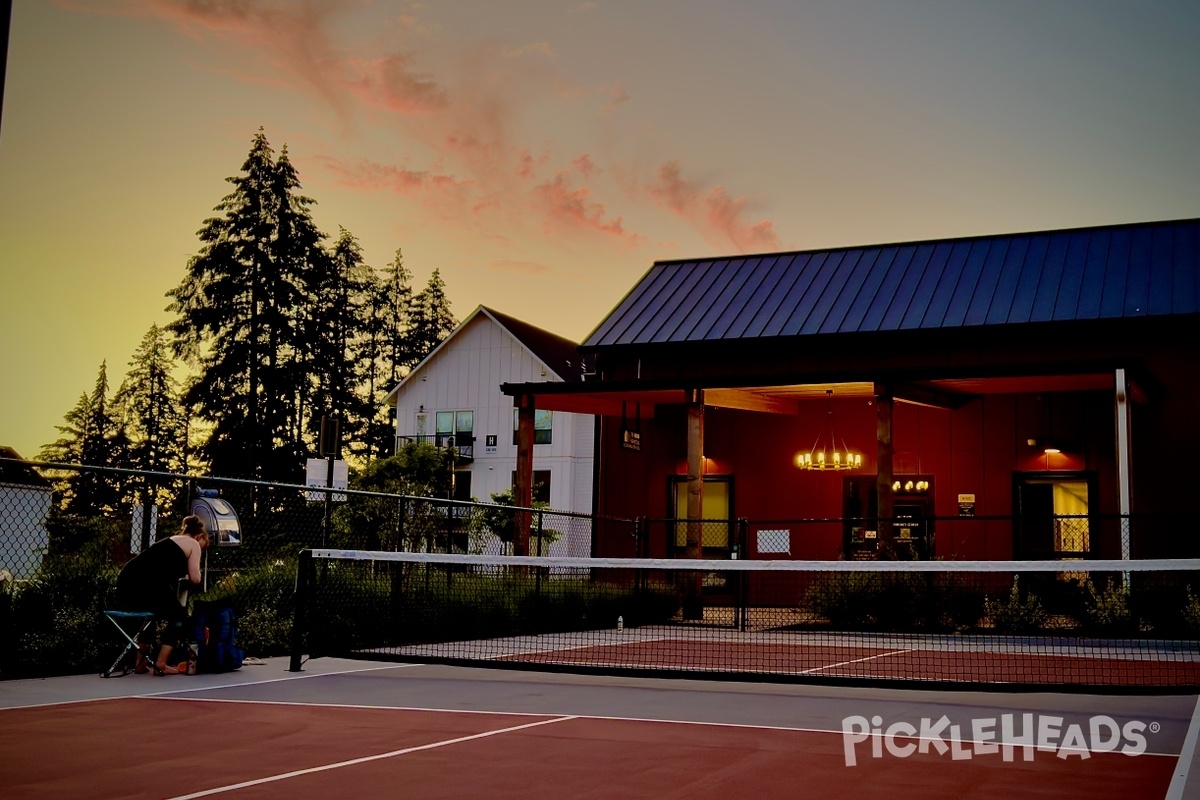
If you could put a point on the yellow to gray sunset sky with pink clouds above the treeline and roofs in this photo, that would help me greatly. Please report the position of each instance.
(543, 154)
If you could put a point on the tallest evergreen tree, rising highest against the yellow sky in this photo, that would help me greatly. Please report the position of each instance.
(239, 321)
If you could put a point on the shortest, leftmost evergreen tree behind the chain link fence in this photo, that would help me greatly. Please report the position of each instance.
(93, 437)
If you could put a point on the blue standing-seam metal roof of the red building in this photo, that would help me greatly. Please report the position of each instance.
(1117, 272)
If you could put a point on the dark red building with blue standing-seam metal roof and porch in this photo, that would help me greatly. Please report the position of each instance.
(1043, 375)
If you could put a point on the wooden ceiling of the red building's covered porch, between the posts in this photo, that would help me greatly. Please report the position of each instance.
(631, 400)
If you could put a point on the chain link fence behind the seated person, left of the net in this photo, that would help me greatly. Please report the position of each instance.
(62, 549)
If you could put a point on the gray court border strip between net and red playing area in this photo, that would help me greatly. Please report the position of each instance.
(1172, 723)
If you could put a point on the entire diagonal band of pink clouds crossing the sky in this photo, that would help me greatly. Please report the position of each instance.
(479, 173)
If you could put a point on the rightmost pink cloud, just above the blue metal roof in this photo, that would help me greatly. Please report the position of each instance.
(718, 216)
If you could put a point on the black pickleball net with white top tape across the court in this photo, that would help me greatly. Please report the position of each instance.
(1090, 624)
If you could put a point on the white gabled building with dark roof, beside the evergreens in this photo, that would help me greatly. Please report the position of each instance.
(453, 399)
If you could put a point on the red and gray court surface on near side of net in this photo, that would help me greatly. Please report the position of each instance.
(352, 729)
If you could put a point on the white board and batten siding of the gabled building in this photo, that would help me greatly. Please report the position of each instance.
(465, 375)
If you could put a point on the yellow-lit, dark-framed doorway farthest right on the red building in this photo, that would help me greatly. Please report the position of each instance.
(1053, 516)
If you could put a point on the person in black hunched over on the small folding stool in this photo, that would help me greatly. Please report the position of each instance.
(151, 584)
